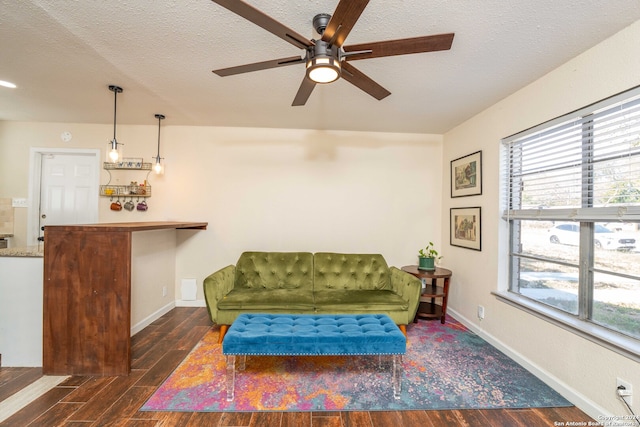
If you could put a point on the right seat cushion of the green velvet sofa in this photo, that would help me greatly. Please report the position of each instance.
(358, 301)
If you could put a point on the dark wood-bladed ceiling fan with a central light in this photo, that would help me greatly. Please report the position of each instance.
(328, 59)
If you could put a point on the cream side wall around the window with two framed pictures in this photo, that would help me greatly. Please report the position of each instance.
(585, 371)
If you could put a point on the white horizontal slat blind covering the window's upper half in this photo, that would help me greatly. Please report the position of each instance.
(583, 166)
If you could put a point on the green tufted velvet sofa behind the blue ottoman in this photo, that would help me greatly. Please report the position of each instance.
(306, 283)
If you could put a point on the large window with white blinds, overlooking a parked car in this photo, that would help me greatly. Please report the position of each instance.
(572, 202)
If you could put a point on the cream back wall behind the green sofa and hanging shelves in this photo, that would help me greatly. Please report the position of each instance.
(262, 189)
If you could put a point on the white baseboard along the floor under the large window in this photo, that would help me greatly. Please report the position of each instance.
(579, 400)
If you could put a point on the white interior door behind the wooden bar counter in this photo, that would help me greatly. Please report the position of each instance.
(68, 189)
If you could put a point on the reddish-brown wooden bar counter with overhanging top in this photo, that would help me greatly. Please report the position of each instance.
(87, 296)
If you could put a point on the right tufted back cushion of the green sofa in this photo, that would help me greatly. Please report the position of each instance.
(334, 271)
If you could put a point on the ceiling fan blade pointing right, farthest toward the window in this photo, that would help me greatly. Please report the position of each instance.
(400, 46)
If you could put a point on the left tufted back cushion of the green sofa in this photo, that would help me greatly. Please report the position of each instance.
(274, 270)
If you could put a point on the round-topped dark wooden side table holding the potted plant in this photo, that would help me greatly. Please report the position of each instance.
(428, 309)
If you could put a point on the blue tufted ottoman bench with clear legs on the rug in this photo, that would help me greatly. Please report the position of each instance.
(313, 335)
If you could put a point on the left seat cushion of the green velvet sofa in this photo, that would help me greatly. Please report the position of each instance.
(271, 299)
